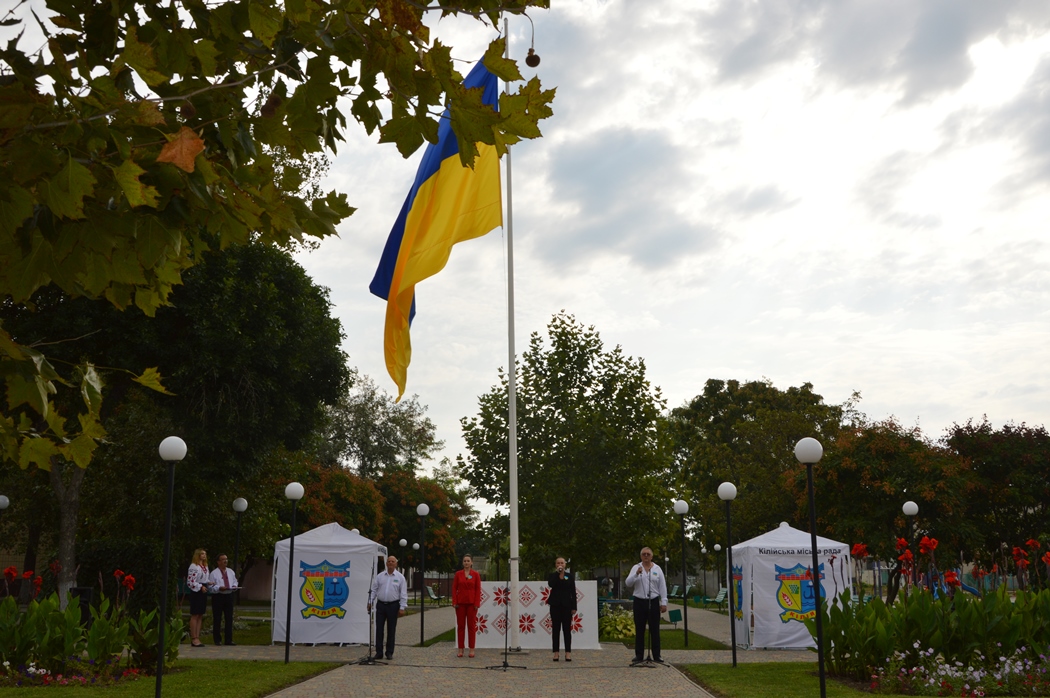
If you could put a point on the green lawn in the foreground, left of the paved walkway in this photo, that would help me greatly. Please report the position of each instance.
(215, 679)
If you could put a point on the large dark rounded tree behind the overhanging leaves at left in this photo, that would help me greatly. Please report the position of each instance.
(251, 352)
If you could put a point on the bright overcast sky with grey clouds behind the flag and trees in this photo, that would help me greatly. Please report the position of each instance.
(848, 193)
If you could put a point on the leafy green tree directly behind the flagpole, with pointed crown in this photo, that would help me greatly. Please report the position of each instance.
(592, 463)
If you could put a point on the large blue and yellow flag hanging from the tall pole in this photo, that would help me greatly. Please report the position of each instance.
(448, 204)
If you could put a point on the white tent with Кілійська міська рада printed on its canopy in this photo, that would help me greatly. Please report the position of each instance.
(774, 589)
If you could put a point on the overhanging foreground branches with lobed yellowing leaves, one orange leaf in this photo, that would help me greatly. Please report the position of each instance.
(136, 136)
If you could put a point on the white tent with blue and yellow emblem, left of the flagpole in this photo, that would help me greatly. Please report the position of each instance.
(331, 578)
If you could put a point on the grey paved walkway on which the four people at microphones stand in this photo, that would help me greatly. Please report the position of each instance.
(436, 671)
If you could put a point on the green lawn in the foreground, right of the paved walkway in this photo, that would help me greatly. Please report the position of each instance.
(769, 681)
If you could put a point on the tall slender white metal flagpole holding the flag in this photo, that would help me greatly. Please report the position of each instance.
(512, 393)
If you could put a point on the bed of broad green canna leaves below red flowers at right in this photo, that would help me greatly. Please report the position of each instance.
(860, 639)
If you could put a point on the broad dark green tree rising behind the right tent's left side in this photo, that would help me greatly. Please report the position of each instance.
(746, 434)
